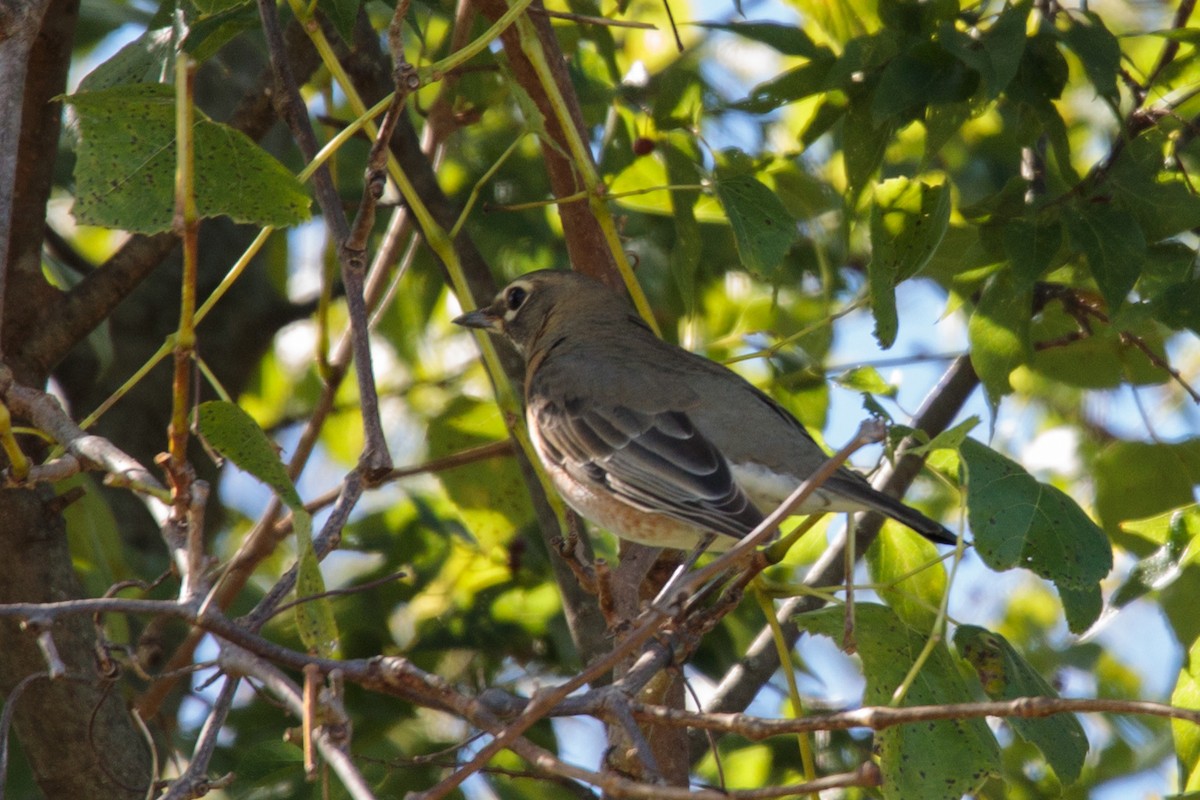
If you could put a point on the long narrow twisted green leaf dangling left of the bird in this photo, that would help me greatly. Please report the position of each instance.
(235, 435)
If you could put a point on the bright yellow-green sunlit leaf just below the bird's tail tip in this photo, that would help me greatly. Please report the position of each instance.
(904, 569)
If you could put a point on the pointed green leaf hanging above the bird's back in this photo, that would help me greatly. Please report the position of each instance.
(764, 231)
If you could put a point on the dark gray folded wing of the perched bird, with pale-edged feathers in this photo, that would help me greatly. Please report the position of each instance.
(655, 461)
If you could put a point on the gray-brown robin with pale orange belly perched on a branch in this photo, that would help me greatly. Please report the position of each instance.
(649, 441)
